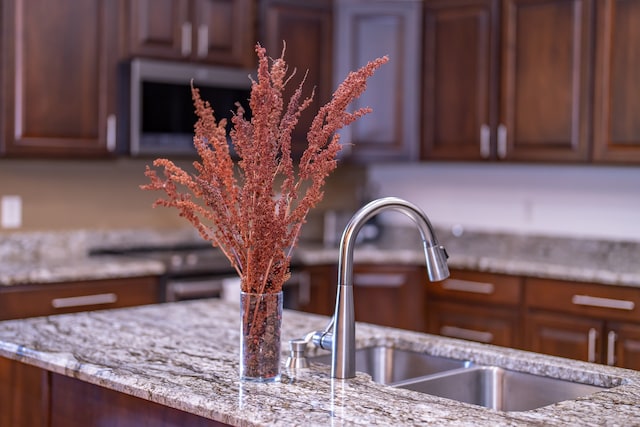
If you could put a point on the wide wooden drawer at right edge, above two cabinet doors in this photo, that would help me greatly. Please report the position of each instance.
(588, 299)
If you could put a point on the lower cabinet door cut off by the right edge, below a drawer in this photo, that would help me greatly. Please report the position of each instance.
(623, 345)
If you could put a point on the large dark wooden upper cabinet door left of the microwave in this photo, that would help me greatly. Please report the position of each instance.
(59, 63)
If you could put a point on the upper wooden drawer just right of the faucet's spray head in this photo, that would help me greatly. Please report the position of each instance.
(478, 287)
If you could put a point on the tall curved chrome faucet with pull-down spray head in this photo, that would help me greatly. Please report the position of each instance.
(339, 335)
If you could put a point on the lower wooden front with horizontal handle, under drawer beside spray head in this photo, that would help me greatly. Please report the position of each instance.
(489, 325)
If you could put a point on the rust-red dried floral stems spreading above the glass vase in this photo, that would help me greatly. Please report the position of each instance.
(255, 226)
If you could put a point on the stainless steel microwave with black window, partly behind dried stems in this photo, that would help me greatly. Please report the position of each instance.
(155, 101)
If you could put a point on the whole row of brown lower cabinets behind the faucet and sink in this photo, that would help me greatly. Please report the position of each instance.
(584, 321)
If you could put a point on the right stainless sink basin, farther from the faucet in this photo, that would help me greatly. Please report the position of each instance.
(499, 389)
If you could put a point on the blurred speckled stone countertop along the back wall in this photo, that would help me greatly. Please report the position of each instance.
(53, 257)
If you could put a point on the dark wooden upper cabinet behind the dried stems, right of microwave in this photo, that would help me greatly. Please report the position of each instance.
(307, 30)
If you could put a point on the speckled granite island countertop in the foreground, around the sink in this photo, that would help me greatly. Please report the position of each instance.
(185, 355)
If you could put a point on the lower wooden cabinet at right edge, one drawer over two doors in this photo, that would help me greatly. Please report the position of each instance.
(591, 322)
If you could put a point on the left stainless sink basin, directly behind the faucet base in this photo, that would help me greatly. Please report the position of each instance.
(388, 365)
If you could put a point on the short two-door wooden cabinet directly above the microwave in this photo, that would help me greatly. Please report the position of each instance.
(208, 31)
